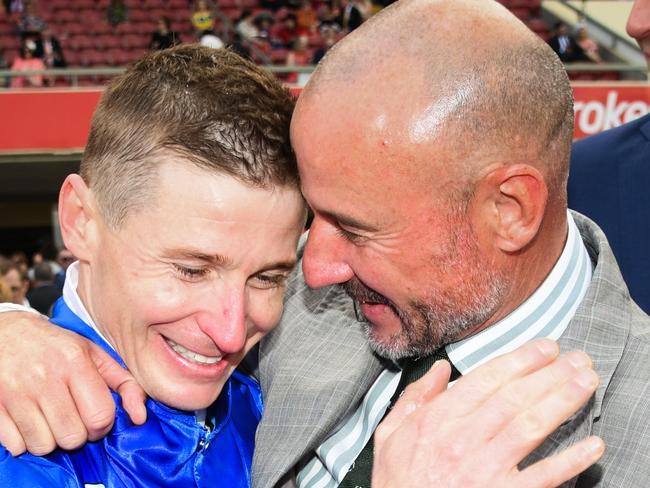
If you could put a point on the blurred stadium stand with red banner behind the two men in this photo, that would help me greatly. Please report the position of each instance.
(55, 56)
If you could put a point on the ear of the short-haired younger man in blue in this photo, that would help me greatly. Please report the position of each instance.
(77, 217)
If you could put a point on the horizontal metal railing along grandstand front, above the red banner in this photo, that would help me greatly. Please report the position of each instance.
(74, 74)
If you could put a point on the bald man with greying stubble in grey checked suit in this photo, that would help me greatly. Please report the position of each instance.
(438, 184)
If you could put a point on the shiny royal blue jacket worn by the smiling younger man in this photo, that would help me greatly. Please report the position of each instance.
(171, 449)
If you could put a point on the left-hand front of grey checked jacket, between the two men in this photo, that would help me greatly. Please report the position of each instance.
(315, 369)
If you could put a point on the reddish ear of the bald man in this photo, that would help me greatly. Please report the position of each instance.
(513, 201)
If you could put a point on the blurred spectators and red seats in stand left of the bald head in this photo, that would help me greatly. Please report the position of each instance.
(281, 32)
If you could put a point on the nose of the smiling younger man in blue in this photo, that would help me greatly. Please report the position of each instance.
(226, 322)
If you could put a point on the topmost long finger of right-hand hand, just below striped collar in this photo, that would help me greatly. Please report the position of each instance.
(476, 387)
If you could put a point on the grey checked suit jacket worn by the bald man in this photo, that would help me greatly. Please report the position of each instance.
(317, 366)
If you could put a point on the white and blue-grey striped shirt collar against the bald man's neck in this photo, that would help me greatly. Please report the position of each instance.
(546, 313)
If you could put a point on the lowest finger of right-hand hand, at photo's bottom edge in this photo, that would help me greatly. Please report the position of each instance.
(561, 467)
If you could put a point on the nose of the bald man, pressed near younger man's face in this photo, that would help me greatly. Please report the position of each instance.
(323, 260)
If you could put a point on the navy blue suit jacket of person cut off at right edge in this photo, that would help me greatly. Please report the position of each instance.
(609, 181)
